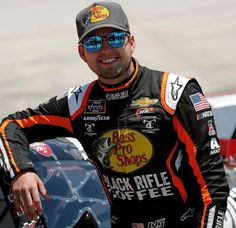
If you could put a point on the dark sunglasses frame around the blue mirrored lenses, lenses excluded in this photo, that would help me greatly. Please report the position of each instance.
(82, 43)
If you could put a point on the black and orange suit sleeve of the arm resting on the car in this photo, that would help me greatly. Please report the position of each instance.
(17, 131)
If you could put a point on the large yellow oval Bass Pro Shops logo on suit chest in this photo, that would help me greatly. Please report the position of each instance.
(124, 150)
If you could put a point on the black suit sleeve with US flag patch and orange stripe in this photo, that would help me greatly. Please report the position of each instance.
(202, 165)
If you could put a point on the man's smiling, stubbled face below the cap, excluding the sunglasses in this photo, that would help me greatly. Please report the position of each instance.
(112, 65)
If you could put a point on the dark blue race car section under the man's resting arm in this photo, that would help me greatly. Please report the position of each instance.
(76, 194)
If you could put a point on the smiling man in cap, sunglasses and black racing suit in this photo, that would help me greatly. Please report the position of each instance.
(150, 134)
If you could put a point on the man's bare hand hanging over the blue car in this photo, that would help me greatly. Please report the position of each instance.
(26, 187)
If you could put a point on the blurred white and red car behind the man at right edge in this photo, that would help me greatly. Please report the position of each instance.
(224, 110)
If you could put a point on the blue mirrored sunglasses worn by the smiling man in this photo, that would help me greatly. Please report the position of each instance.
(114, 39)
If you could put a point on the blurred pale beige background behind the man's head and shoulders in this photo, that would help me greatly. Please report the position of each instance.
(38, 45)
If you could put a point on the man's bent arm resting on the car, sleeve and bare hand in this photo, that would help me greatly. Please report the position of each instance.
(17, 131)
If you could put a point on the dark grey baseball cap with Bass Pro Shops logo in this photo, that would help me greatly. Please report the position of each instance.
(99, 15)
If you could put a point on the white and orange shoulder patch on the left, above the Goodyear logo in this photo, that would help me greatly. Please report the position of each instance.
(78, 98)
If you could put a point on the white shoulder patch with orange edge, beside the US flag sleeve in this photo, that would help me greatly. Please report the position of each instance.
(172, 88)
